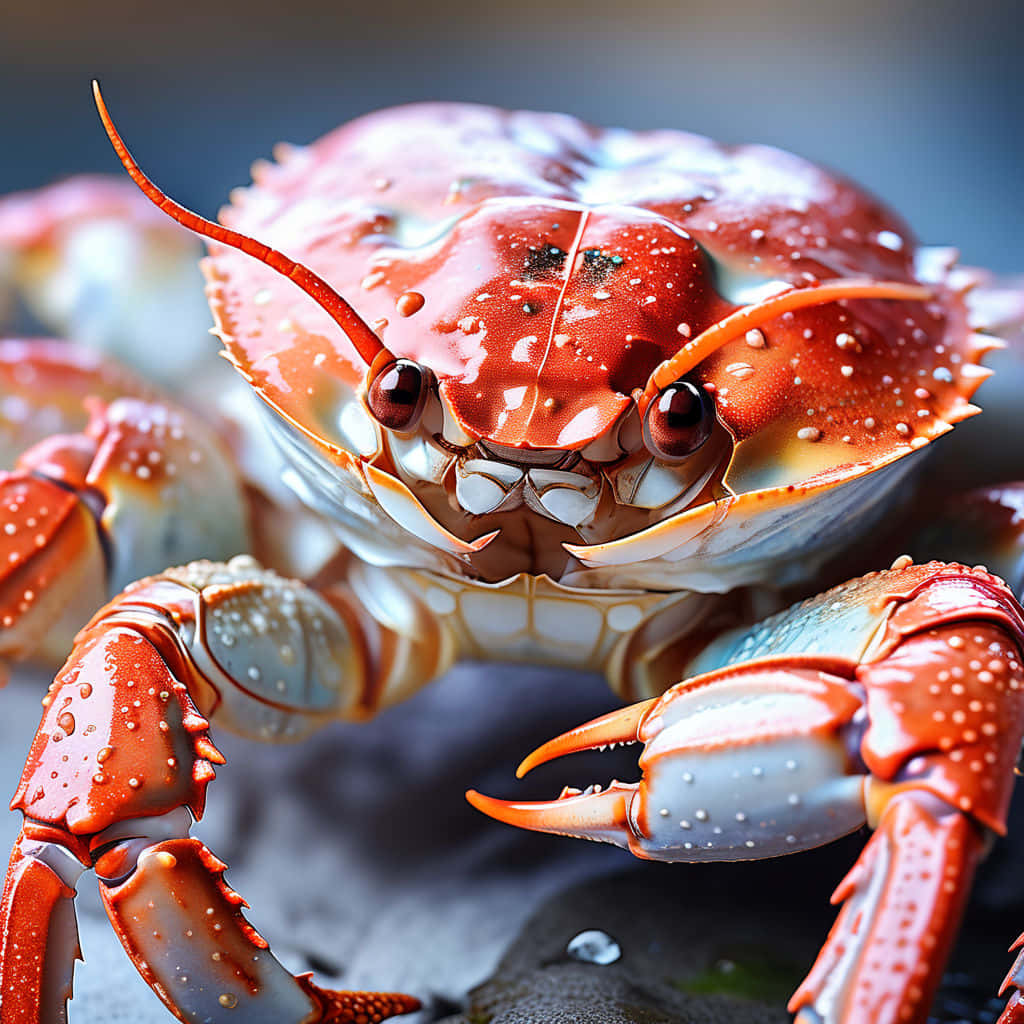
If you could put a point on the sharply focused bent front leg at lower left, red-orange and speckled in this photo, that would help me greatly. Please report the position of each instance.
(119, 771)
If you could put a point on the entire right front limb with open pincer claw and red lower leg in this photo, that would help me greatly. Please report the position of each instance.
(909, 717)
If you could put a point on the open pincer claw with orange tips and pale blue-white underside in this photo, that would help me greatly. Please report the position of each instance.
(742, 763)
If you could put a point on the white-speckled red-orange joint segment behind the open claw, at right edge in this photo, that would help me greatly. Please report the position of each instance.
(944, 693)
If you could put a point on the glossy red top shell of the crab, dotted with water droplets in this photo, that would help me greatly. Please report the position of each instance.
(460, 206)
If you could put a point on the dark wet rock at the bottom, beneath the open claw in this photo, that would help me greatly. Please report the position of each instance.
(708, 945)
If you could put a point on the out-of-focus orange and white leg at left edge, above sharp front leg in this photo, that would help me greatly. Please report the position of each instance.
(129, 484)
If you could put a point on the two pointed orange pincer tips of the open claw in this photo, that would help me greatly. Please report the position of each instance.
(599, 815)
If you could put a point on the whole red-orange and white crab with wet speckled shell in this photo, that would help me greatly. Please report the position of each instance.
(543, 393)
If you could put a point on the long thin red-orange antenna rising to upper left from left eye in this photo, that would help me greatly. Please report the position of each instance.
(363, 338)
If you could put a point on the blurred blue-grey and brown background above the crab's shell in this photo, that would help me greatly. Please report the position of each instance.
(921, 101)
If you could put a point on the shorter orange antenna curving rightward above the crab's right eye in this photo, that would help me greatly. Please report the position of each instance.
(747, 318)
